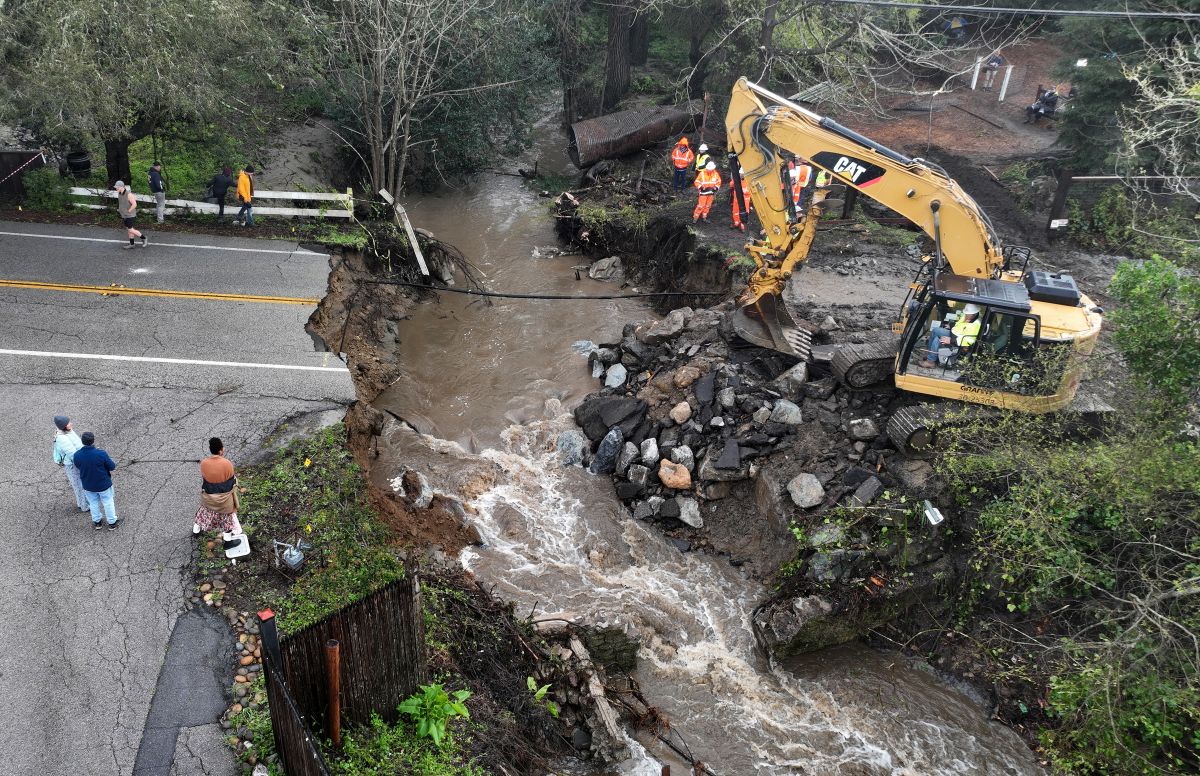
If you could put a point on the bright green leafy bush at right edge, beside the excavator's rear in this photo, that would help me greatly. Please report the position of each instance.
(1159, 326)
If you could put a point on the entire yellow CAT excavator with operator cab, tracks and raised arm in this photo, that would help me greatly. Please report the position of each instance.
(1036, 328)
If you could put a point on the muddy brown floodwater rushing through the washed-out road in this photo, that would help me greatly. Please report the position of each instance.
(491, 388)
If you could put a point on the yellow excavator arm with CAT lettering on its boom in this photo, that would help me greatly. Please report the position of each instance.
(765, 130)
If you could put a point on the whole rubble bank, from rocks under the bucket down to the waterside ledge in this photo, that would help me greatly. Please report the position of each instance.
(748, 453)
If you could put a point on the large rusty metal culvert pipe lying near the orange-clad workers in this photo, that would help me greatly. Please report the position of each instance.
(628, 131)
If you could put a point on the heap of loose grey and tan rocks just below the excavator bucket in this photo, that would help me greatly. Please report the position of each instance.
(682, 416)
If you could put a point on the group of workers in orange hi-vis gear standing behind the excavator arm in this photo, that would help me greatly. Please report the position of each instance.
(801, 176)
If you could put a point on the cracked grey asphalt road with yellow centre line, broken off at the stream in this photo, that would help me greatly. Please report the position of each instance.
(88, 616)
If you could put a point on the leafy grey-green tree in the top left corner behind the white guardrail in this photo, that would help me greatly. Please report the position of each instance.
(122, 70)
